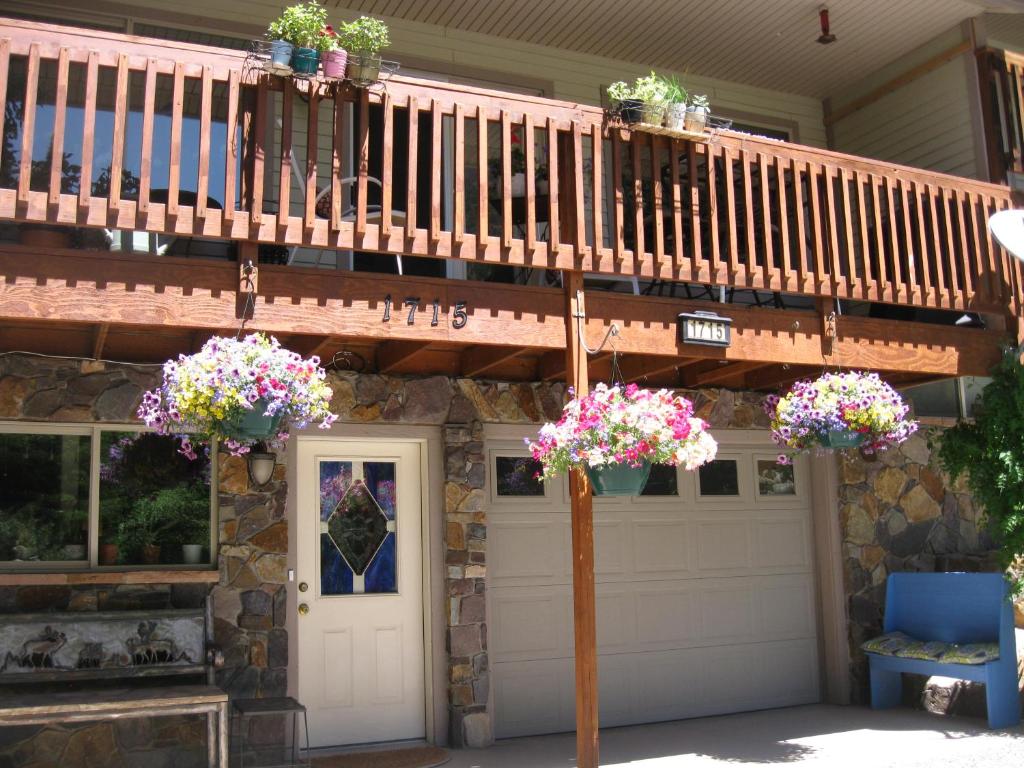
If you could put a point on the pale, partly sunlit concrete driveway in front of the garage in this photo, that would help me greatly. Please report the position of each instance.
(819, 736)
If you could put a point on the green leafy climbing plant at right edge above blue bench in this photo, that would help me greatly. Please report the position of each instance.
(990, 452)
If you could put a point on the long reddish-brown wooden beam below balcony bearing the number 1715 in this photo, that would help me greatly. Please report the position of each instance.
(149, 293)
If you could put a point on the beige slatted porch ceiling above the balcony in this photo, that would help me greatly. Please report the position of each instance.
(771, 44)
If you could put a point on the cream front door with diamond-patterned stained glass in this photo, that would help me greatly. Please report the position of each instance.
(360, 573)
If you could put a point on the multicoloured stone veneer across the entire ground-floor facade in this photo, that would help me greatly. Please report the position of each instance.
(897, 514)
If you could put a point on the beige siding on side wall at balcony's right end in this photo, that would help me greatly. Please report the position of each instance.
(928, 123)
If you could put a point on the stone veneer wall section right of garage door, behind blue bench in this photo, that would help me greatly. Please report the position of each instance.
(902, 514)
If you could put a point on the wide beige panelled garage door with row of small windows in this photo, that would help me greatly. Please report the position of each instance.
(706, 599)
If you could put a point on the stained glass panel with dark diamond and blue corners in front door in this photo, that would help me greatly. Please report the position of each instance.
(359, 529)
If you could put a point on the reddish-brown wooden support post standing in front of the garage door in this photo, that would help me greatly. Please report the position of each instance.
(584, 602)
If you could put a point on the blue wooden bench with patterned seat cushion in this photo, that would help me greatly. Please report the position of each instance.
(954, 625)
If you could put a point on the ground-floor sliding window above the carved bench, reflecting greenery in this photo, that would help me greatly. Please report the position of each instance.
(82, 497)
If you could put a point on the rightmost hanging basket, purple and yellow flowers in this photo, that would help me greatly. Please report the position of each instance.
(839, 411)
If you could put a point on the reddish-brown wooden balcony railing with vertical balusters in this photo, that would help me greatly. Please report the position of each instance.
(188, 141)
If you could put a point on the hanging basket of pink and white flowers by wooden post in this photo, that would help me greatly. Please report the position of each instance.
(616, 434)
